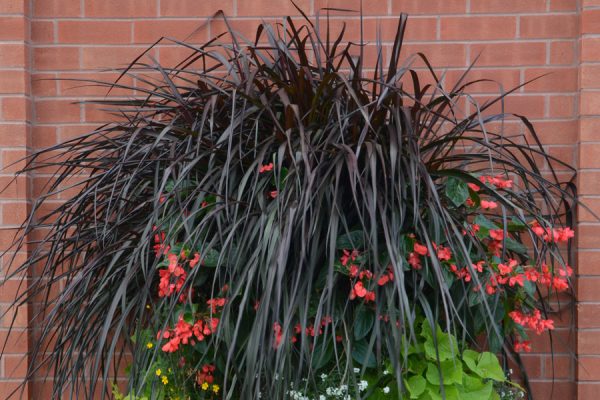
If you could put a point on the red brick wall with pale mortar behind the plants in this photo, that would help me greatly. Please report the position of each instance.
(516, 39)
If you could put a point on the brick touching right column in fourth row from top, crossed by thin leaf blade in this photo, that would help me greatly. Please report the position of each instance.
(551, 79)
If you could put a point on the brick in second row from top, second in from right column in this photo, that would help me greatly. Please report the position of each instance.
(478, 28)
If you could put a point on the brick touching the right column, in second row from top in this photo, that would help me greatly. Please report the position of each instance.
(548, 26)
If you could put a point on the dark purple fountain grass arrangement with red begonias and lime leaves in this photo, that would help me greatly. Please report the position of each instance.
(275, 220)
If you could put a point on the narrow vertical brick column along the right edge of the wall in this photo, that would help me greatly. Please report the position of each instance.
(588, 247)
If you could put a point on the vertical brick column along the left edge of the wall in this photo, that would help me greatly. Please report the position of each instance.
(15, 118)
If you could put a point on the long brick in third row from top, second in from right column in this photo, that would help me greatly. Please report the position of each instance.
(499, 54)
